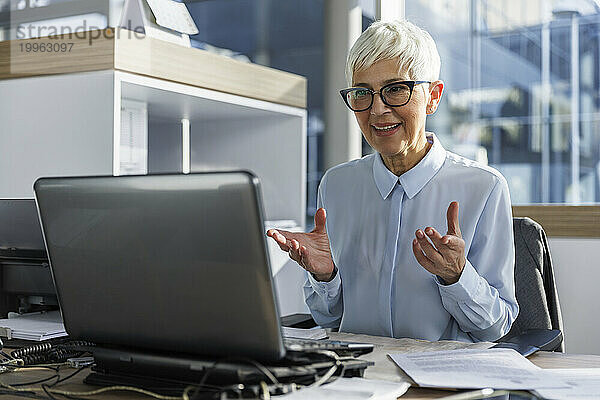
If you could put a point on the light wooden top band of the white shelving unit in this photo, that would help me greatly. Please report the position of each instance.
(132, 52)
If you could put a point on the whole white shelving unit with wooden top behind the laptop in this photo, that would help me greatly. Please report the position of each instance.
(65, 119)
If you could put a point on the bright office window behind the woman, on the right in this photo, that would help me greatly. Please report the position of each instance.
(522, 94)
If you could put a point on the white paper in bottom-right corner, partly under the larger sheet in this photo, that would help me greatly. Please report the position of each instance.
(585, 384)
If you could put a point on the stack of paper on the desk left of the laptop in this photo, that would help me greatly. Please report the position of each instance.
(35, 326)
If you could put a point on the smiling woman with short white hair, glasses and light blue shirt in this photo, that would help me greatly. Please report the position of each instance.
(395, 257)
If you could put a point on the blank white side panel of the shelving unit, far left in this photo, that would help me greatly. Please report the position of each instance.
(54, 126)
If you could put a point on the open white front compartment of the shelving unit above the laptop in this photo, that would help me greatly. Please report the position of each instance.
(226, 132)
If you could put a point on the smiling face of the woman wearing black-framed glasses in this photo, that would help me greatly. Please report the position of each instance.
(396, 132)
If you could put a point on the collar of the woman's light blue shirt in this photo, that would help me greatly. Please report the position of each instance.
(413, 180)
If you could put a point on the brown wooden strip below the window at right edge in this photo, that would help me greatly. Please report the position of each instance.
(563, 220)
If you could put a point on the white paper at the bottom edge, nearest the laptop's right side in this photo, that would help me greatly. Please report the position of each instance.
(350, 389)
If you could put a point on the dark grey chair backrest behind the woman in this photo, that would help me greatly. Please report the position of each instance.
(534, 280)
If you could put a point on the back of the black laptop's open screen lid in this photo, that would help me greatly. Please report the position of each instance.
(164, 262)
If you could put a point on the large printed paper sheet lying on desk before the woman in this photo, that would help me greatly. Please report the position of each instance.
(475, 369)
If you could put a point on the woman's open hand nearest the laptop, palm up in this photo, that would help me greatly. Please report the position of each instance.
(310, 250)
